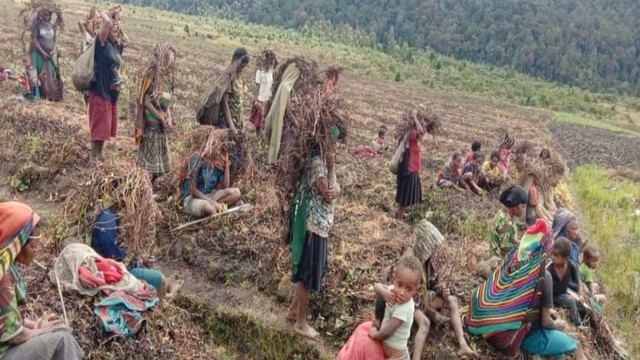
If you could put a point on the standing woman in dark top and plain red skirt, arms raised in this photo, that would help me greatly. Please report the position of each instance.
(104, 92)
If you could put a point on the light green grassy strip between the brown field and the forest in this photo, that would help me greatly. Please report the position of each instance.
(424, 67)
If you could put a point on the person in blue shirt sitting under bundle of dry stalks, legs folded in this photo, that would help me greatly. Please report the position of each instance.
(205, 184)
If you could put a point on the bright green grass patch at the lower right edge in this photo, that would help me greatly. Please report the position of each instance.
(608, 207)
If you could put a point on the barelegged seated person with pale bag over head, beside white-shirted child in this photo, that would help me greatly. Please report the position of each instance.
(428, 239)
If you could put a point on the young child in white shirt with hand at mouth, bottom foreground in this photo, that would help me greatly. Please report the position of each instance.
(395, 328)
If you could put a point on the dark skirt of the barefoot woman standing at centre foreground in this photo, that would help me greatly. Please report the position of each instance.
(313, 265)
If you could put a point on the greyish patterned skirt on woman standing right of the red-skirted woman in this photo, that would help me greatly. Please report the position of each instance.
(153, 154)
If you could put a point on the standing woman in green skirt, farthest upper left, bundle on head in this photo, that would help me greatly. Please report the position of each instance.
(44, 52)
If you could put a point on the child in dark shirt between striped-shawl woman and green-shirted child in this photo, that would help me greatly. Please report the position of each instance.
(562, 272)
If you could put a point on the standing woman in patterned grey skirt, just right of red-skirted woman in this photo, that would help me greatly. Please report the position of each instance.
(154, 118)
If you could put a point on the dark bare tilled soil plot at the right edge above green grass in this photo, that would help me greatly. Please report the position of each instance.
(588, 145)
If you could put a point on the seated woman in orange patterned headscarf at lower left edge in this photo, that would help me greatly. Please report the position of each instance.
(22, 338)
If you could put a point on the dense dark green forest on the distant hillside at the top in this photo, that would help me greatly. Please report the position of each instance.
(592, 44)
